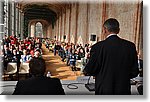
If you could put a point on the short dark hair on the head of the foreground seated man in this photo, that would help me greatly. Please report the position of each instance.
(37, 66)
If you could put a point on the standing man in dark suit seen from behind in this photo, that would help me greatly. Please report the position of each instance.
(113, 62)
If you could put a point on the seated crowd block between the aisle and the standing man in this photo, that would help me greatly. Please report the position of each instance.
(70, 53)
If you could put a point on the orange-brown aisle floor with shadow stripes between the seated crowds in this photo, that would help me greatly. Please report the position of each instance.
(58, 68)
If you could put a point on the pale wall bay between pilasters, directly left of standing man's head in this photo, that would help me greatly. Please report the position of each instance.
(95, 20)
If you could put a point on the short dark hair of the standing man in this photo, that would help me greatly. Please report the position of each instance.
(112, 25)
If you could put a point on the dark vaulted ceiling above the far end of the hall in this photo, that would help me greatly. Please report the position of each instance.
(40, 9)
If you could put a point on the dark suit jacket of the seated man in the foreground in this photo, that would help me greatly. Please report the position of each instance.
(39, 86)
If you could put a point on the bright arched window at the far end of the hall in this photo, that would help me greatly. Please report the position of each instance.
(39, 30)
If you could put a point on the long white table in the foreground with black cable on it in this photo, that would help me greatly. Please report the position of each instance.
(7, 88)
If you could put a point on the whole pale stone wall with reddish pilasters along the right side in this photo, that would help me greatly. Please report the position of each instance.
(80, 20)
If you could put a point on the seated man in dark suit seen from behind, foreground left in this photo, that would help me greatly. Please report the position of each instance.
(38, 84)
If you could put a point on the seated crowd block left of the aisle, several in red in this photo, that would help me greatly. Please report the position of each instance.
(20, 51)
